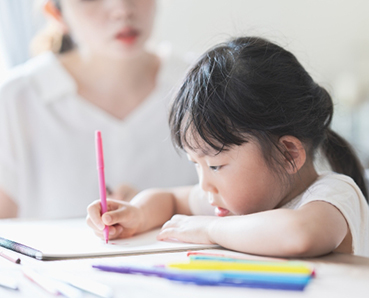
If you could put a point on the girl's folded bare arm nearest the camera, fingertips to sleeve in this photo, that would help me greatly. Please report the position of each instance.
(316, 228)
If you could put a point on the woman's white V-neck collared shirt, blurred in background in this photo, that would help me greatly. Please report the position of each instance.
(47, 140)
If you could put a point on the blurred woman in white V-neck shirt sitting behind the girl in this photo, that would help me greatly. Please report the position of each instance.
(102, 77)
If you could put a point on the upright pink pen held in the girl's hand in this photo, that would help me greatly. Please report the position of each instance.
(100, 171)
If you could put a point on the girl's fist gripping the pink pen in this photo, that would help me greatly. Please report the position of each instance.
(124, 220)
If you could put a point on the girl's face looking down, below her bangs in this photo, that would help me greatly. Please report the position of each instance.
(238, 181)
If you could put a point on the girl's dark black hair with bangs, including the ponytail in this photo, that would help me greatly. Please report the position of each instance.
(252, 88)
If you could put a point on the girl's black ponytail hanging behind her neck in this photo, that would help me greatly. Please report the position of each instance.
(343, 159)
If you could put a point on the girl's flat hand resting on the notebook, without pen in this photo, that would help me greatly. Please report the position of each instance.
(191, 229)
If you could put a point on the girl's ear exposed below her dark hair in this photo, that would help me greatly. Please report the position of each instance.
(294, 153)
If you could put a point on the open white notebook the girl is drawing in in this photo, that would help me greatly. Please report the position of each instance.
(72, 238)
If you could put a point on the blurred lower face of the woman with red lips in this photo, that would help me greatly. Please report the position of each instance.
(118, 27)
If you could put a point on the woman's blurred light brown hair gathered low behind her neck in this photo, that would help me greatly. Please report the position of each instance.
(51, 39)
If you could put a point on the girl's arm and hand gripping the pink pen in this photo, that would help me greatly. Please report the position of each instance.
(149, 209)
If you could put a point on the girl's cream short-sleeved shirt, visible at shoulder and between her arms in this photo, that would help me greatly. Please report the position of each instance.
(336, 189)
